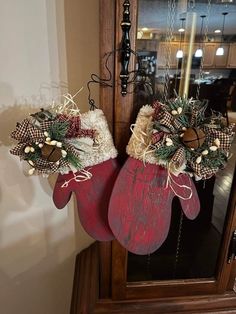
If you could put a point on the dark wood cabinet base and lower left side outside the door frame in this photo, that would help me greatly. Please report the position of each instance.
(86, 300)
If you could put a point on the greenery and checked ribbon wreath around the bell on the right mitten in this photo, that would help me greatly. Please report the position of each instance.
(189, 113)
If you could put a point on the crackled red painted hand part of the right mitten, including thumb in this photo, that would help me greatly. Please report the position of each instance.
(140, 205)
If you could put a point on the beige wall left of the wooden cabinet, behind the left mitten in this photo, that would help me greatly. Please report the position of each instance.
(46, 46)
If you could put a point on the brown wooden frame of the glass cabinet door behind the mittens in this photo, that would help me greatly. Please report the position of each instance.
(122, 112)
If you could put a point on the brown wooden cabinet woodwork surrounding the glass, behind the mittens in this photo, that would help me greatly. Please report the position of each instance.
(100, 270)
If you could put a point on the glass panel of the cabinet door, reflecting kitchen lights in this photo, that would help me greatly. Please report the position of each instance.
(192, 248)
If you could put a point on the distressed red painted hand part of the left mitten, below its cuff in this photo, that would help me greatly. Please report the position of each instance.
(92, 198)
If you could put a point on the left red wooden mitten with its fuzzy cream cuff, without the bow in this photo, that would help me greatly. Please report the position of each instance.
(93, 184)
